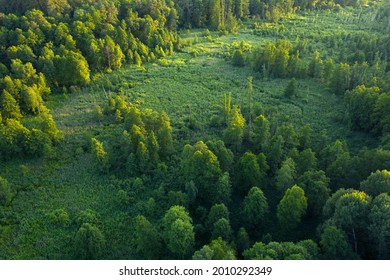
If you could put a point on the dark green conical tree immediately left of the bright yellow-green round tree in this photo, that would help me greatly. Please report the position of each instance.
(255, 207)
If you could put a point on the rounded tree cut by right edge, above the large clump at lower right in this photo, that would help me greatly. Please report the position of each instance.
(377, 183)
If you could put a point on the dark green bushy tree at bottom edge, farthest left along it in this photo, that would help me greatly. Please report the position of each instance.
(90, 242)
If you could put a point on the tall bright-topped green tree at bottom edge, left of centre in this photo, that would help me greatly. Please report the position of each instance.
(178, 231)
